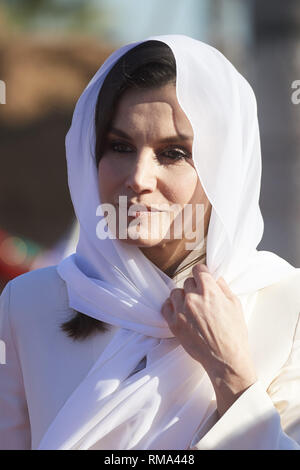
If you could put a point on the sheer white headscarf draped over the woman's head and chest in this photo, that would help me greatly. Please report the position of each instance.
(162, 405)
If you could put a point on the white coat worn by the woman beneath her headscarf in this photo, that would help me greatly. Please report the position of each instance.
(43, 367)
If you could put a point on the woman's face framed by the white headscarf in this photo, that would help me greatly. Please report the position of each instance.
(148, 159)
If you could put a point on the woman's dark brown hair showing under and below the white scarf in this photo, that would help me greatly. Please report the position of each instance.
(151, 64)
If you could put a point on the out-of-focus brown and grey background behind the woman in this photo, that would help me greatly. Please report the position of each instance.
(50, 49)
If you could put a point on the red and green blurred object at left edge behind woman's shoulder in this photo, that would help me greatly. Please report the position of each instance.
(16, 255)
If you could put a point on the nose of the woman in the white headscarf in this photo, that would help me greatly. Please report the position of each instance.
(142, 174)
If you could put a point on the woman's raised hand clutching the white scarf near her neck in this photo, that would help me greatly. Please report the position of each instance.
(208, 320)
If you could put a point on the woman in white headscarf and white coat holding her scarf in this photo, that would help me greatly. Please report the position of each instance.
(144, 339)
